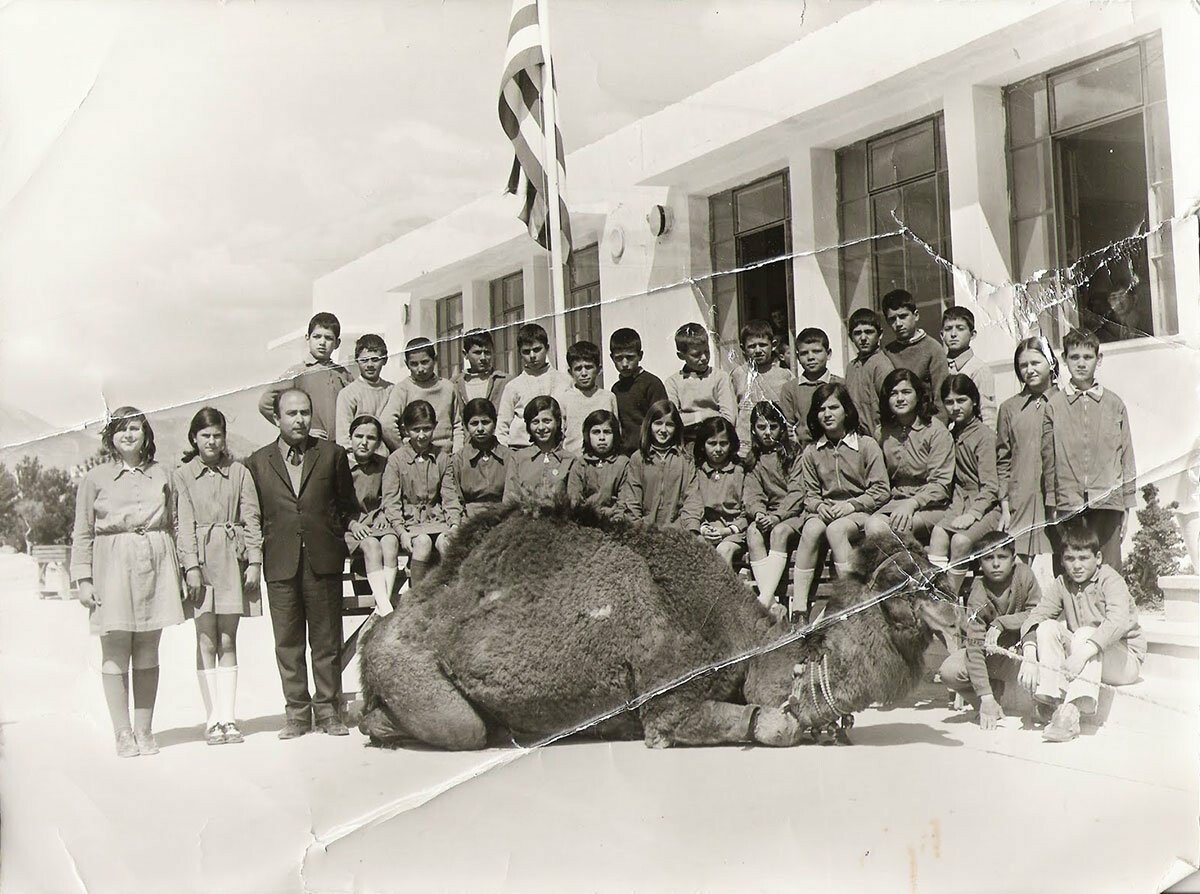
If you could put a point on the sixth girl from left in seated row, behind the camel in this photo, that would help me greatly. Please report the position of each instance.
(662, 488)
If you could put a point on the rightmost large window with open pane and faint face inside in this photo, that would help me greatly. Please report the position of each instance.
(1089, 175)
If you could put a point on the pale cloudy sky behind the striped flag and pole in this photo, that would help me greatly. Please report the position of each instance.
(175, 176)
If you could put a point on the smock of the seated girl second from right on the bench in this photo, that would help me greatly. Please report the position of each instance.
(921, 463)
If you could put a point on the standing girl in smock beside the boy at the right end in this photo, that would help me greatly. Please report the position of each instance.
(1023, 512)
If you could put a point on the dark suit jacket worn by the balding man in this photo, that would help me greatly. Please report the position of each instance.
(314, 520)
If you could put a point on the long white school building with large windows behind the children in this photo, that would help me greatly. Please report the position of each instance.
(1011, 137)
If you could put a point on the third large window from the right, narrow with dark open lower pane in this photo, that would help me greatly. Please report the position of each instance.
(751, 225)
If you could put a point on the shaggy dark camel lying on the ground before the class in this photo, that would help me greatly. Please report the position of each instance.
(545, 621)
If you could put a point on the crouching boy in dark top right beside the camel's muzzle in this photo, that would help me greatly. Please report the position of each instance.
(1001, 598)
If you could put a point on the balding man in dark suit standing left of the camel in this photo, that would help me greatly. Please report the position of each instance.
(308, 501)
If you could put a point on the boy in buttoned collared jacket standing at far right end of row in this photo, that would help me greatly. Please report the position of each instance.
(1088, 465)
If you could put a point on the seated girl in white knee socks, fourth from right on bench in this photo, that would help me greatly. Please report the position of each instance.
(776, 512)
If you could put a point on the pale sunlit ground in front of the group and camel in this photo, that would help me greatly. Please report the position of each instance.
(925, 802)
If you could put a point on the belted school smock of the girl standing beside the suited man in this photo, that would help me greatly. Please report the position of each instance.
(221, 532)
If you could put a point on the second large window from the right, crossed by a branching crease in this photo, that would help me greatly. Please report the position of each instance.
(899, 173)
